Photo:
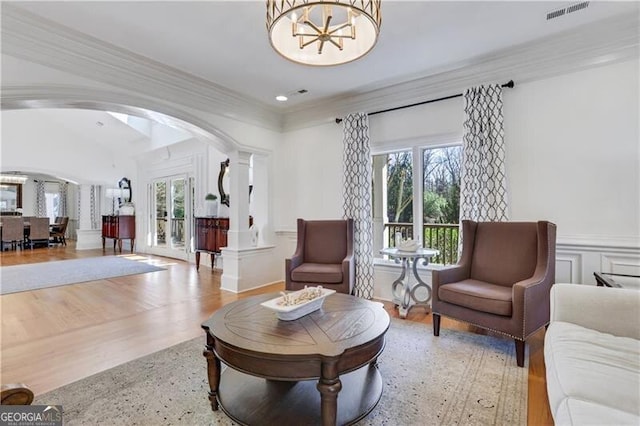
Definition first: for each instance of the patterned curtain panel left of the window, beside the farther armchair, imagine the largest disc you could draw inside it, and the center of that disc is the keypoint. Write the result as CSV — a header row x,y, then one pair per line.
x,y
357,197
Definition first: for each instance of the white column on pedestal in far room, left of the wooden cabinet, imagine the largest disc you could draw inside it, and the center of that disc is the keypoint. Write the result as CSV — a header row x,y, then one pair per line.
x,y
89,233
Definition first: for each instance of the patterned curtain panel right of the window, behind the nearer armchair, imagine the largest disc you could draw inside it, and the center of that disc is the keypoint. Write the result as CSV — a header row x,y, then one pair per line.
x,y
483,184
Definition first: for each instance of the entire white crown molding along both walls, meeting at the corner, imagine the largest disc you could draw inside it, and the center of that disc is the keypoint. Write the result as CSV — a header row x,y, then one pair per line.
x,y
31,38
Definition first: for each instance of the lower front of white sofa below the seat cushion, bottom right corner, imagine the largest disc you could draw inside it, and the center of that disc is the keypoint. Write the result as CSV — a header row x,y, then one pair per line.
x,y
576,412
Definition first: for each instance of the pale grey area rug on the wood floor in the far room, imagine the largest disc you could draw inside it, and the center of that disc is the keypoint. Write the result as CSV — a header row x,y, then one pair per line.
x,y
35,276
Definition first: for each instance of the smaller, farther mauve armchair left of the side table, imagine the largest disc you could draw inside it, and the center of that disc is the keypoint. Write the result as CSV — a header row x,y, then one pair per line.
x,y
324,256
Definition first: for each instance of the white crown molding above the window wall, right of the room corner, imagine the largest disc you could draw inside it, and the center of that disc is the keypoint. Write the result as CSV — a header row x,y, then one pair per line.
x,y
605,42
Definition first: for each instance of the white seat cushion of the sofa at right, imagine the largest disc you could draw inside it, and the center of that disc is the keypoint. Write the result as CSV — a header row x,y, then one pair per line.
x,y
591,366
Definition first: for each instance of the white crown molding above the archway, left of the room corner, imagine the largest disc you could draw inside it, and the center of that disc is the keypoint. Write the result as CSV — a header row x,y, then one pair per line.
x,y
32,38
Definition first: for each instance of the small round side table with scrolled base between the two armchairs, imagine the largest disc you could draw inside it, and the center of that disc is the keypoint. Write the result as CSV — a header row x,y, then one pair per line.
x,y
405,293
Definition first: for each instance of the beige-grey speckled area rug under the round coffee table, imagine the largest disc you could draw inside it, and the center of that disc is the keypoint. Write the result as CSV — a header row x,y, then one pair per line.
x,y
458,378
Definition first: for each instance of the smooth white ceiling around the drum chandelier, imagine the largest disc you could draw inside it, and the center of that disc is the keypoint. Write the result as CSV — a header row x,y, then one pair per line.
x,y
226,42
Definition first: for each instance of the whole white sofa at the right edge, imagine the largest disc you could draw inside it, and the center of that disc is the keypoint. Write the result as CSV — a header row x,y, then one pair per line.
x,y
592,355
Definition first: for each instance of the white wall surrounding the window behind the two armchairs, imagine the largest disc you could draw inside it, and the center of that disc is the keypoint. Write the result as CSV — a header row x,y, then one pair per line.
x,y
572,158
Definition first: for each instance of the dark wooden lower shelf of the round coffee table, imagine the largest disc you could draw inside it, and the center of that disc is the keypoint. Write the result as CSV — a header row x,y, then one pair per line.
x,y
251,400
